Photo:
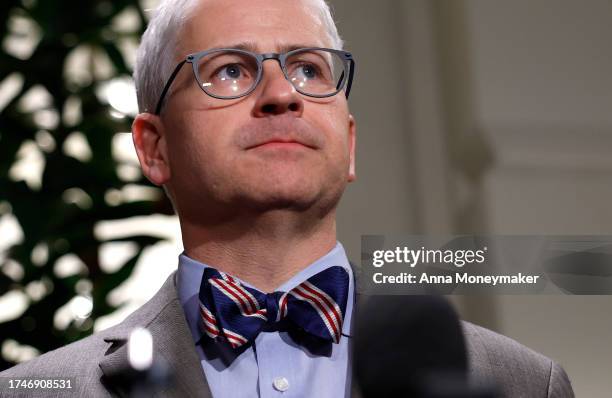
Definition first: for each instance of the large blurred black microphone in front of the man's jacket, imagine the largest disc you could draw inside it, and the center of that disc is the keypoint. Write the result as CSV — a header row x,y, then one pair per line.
x,y
411,346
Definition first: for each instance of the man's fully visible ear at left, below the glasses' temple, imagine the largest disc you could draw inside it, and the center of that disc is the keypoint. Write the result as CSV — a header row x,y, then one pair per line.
x,y
150,141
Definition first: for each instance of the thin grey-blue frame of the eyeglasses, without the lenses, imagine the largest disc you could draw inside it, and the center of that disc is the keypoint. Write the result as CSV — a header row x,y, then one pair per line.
x,y
193,59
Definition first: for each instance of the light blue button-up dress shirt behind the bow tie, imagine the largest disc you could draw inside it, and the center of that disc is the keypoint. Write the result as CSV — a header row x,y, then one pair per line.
x,y
274,366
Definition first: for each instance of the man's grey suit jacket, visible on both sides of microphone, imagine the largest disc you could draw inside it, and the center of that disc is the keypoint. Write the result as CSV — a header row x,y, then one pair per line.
x,y
519,371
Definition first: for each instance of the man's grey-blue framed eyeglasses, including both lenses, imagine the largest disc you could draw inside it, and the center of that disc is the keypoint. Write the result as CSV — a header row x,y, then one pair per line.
x,y
229,73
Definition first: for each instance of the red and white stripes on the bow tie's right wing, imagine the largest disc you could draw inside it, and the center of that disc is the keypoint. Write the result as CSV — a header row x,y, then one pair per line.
x,y
326,307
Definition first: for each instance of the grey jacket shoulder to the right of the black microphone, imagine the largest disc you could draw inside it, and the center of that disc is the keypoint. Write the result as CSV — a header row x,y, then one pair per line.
x,y
515,369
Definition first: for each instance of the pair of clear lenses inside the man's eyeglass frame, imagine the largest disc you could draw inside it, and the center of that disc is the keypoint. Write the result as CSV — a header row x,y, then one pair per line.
x,y
230,73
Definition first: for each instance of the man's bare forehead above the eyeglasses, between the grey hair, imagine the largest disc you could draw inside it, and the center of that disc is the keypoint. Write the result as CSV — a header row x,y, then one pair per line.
x,y
270,25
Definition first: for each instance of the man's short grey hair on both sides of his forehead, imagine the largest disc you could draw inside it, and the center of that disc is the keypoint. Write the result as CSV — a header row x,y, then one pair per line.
x,y
156,55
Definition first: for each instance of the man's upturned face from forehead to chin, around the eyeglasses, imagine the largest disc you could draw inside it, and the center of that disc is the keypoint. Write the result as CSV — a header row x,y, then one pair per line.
x,y
229,153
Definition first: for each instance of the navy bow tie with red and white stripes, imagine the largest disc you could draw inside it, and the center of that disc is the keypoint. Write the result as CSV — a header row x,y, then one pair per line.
x,y
236,313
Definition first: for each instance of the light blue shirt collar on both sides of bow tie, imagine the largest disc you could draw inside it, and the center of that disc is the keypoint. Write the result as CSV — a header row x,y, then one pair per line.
x,y
190,274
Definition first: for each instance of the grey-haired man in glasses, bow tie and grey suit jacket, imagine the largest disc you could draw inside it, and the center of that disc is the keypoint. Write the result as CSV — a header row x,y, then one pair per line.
x,y
255,157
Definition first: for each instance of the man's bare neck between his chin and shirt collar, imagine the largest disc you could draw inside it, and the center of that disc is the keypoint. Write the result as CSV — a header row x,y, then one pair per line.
x,y
264,250
